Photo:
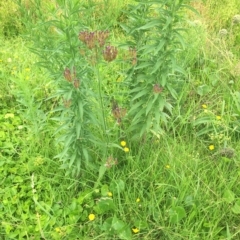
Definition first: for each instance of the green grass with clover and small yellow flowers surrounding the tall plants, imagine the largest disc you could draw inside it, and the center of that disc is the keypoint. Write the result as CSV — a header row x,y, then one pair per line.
x,y
171,186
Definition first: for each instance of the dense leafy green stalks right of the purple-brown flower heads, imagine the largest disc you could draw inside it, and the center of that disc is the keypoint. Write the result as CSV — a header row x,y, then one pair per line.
x,y
156,77
